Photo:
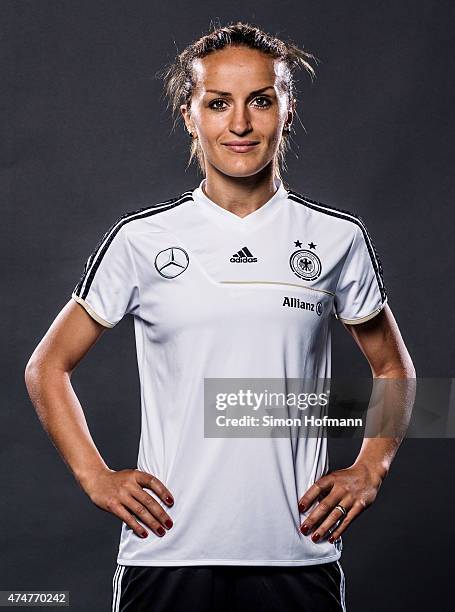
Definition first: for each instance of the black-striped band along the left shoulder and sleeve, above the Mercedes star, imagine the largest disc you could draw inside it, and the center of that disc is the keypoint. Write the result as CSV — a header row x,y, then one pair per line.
x,y
94,260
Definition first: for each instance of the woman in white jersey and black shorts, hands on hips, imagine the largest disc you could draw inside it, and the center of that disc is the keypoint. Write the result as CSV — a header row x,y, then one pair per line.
x,y
236,278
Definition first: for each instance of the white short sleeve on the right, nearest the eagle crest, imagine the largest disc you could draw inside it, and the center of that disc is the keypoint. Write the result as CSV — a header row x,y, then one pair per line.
x,y
360,294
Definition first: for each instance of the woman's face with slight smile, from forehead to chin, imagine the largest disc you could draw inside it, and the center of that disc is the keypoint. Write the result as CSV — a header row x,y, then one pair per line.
x,y
238,109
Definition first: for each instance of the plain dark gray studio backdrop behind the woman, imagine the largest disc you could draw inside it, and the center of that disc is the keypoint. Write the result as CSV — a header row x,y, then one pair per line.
x,y
87,137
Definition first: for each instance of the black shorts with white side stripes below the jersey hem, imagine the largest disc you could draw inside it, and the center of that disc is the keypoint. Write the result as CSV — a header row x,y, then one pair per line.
x,y
228,588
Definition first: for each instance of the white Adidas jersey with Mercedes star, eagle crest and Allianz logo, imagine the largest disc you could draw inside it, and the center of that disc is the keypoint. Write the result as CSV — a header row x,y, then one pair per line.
x,y
215,295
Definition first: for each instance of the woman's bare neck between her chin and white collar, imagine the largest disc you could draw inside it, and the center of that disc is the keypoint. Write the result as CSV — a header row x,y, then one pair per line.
x,y
240,195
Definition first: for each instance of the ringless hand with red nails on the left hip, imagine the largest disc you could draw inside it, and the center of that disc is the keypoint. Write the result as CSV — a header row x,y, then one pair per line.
x,y
122,494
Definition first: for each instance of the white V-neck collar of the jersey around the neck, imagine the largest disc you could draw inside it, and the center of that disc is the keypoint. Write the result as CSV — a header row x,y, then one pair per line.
x,y
252,220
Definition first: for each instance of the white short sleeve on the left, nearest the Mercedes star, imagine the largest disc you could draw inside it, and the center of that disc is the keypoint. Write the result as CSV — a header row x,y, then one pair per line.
x,y
108,288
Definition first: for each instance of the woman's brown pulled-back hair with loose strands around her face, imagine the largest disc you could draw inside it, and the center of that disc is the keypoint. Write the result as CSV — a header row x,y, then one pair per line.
x,y
179,81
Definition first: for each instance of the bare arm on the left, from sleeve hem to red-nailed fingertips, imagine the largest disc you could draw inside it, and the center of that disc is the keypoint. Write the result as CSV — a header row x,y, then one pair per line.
x,y
48,381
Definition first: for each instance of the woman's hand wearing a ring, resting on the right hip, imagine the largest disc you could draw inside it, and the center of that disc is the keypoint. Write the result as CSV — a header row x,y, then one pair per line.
x,y
354,488
